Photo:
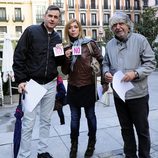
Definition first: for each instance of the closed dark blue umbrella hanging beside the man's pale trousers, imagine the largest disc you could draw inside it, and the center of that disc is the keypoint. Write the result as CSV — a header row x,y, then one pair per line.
x,y
18,125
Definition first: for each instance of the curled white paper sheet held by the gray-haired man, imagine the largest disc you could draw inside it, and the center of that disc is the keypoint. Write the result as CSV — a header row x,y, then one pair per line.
x,y
121,87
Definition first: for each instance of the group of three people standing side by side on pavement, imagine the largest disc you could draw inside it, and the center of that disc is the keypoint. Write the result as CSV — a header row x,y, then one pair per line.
x,y
35,58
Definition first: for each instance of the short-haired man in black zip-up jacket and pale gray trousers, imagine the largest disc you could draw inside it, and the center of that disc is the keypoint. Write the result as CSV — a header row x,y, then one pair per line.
x,y
34,59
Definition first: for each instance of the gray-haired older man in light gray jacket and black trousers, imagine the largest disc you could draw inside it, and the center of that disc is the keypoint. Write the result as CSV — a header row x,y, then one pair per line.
x,y
130,53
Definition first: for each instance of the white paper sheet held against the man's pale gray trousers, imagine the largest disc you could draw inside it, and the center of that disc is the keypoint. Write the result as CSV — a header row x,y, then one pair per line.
x,y
34,94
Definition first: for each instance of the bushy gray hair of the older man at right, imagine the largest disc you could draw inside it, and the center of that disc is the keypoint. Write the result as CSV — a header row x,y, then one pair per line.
x,y
120,17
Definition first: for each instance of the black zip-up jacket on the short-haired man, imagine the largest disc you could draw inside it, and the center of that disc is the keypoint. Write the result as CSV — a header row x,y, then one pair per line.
x,y
34,55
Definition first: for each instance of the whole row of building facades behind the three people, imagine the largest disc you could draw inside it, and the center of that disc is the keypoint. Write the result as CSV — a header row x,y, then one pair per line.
x,y
16,15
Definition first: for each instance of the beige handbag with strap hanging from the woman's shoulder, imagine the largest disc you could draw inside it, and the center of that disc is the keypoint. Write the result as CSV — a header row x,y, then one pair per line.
x,y
94,62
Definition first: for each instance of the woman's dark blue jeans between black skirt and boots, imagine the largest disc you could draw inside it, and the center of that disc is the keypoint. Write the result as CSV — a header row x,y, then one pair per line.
x,y
75,121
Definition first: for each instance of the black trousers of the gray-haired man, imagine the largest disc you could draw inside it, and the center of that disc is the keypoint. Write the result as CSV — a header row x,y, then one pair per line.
x,y
134,112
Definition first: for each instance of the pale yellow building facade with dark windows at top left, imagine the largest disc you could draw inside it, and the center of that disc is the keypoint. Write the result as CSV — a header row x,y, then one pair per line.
x,y
15,16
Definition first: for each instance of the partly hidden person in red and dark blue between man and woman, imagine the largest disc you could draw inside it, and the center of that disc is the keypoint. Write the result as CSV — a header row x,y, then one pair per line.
x,y
60,99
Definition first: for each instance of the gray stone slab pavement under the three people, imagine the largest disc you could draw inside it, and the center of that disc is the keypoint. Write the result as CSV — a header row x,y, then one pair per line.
x,y
109,141
